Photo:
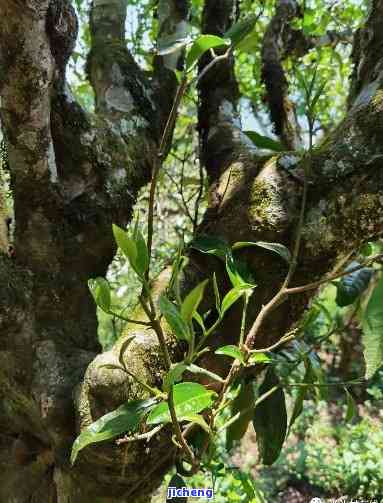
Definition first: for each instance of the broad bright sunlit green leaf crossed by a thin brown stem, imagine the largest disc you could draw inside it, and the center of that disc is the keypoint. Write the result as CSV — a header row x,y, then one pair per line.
x,y
189,398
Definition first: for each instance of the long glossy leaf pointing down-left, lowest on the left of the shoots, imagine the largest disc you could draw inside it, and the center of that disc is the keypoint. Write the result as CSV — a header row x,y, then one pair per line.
x,y
122,420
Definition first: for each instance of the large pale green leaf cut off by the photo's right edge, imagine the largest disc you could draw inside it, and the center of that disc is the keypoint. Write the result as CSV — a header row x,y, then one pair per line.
x,y
372,324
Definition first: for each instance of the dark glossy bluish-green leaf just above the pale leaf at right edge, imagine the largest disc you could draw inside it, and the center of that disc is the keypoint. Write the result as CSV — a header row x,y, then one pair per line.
x,y
350,287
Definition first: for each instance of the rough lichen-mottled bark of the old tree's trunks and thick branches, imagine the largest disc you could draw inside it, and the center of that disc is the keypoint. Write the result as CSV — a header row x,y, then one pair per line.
x,y
74,174
